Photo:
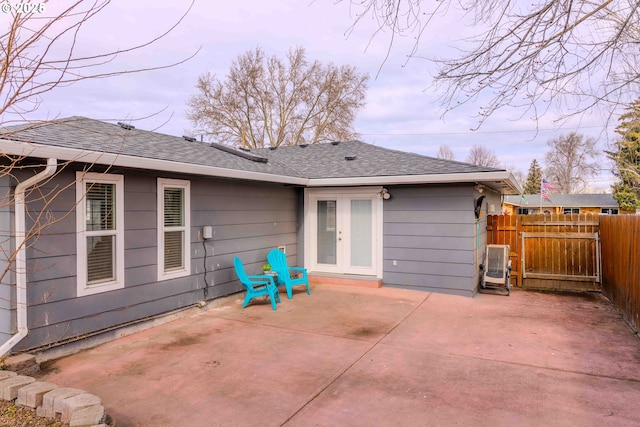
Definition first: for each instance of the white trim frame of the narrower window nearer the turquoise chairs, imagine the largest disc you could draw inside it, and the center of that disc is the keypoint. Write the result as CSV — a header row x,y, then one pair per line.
x,y
186,185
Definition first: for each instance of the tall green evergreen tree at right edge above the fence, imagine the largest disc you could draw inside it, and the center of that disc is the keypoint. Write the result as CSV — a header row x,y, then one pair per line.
x,y
626,159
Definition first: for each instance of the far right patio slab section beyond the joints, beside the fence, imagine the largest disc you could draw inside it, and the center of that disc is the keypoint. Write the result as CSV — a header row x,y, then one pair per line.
x,y
573,332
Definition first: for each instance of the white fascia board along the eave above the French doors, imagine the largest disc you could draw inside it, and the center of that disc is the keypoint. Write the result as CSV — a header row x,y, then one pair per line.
x,y
486,178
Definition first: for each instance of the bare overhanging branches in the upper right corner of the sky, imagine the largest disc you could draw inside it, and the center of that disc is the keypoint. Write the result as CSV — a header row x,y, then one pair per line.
x,y
578,53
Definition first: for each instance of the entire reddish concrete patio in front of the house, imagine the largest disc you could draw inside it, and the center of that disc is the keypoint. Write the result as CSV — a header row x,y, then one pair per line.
x,y
361,356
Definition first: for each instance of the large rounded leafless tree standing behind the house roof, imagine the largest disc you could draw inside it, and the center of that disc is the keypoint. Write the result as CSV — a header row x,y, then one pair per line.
x,y
270,102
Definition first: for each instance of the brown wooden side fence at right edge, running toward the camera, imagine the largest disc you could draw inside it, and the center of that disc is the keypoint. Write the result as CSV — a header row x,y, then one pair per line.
x,y
621,264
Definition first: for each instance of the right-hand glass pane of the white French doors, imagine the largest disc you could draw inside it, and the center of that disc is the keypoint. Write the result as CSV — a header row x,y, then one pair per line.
x,y
361,233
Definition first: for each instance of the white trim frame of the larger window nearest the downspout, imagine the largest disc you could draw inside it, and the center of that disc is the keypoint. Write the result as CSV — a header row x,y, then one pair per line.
x,y
82,178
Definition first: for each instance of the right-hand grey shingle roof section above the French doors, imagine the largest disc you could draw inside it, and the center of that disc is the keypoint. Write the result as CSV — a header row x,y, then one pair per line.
x,y
326,160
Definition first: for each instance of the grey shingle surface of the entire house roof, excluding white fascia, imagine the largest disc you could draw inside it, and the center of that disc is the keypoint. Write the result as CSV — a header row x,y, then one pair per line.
x,y
325,160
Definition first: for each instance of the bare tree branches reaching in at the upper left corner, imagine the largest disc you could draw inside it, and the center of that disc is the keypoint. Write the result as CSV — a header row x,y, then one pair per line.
x,y
39,53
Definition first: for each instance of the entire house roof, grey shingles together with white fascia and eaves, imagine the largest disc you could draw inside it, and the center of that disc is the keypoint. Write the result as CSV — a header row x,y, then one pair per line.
x,y
93,141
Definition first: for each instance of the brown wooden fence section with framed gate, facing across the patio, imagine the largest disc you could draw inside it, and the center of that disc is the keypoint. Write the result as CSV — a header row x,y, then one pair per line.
x,y
550,251
